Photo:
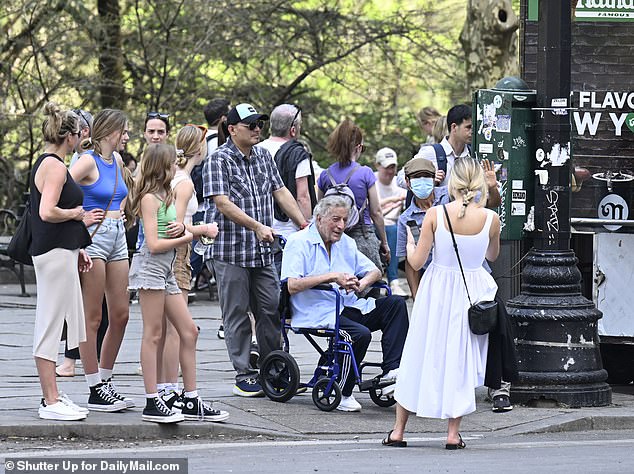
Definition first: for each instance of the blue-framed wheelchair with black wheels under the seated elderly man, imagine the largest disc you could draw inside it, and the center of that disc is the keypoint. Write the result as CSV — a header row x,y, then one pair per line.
x,y
280,375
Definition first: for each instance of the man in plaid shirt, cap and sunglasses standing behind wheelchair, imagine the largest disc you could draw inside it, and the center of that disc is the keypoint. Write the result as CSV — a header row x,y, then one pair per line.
x,y
240,181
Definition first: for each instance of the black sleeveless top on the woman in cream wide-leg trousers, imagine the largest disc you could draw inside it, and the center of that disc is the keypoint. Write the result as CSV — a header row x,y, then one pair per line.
x,y
46,236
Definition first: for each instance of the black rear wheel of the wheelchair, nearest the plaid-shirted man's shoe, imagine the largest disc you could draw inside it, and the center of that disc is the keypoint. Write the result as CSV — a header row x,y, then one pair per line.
x,y
279,376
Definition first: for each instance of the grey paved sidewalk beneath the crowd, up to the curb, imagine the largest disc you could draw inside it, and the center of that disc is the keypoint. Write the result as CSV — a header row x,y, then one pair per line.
x,y
298,418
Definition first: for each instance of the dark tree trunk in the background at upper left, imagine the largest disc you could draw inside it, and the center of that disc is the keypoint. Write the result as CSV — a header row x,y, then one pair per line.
x,y
110,55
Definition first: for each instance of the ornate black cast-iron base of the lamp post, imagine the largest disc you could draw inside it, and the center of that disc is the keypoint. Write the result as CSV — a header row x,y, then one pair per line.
x,y
557,336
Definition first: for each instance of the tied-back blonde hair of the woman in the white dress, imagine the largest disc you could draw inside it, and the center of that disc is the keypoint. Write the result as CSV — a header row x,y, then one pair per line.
x,y
466,180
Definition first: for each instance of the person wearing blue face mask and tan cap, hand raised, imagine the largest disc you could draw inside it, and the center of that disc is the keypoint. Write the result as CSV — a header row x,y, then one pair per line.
x,y
419,178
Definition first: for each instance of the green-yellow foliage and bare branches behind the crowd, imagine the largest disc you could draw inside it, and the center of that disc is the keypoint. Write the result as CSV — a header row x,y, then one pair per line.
x,y
376,62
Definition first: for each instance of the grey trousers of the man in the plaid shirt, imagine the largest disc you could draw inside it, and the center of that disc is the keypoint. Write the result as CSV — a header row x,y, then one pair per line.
x,y
239,289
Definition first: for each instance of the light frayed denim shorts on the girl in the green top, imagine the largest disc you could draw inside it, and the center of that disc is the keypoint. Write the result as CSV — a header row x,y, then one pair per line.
x,y
153,271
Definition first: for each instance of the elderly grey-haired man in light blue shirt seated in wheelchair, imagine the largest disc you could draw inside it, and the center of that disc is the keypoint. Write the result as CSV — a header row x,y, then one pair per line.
x,y
324,254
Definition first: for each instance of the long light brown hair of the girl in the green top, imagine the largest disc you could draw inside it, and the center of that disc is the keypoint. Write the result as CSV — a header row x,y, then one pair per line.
x,y
156,174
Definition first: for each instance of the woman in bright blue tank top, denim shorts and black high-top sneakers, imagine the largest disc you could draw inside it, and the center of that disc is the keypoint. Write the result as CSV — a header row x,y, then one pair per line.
x,y
98,171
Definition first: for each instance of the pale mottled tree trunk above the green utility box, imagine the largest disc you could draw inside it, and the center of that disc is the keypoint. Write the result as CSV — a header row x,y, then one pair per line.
x,y
489,41
